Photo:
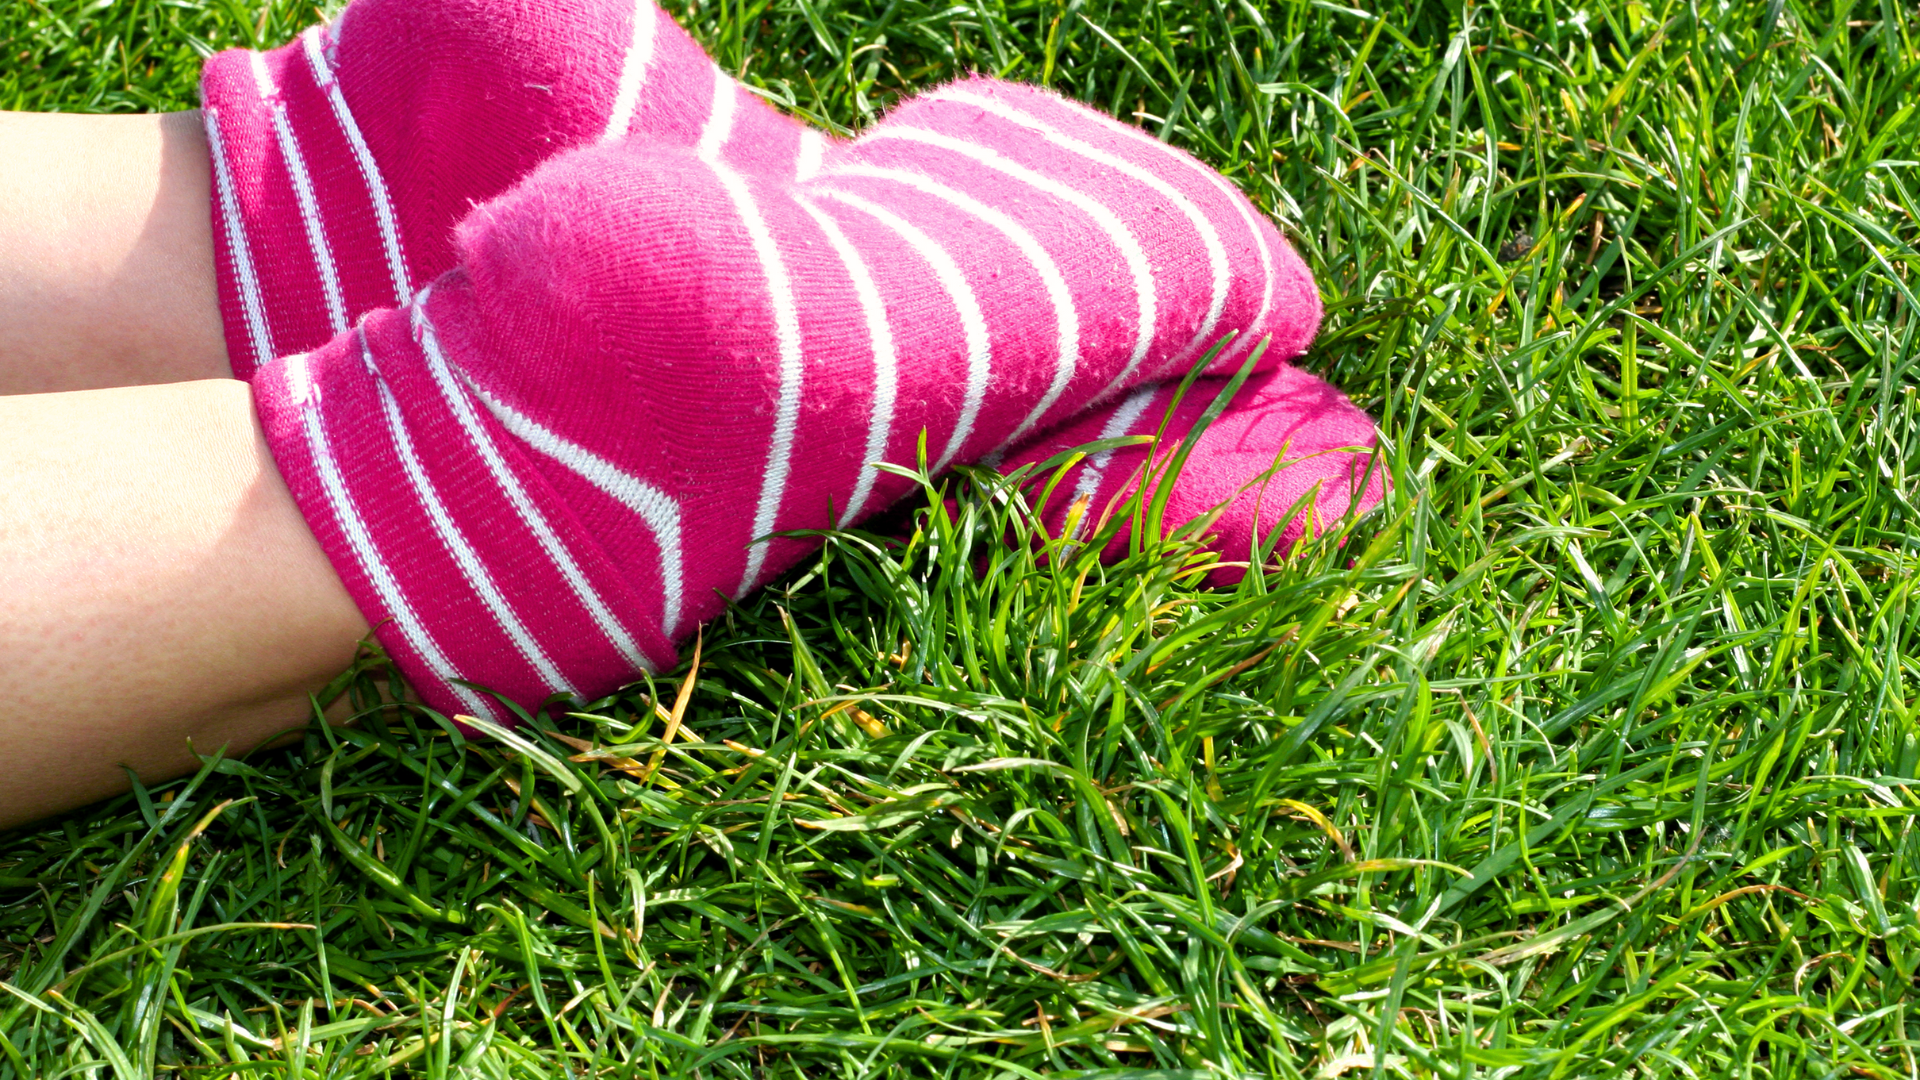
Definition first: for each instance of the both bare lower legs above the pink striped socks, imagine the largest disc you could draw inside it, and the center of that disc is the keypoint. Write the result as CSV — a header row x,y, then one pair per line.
x,y
160,593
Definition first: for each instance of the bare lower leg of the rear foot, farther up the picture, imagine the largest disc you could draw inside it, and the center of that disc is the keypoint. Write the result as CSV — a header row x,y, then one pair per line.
x,y
107,253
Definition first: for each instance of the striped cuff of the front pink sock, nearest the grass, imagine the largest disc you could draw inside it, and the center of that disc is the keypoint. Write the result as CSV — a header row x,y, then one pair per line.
x,y
446,528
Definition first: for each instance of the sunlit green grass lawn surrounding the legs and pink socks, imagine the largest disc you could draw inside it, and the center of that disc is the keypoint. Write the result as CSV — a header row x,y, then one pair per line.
x,y
1593,754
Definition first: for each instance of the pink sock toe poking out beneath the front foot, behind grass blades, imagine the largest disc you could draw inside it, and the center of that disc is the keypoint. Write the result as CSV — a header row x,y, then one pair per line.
x,y
1289,454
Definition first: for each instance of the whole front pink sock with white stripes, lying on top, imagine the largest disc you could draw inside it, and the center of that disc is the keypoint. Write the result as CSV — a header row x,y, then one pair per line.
x,y
558,460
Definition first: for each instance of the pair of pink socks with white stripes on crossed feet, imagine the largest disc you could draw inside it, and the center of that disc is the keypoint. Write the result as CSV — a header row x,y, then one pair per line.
x,y
544,445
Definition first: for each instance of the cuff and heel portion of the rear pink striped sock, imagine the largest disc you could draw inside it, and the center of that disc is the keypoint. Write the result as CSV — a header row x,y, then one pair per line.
x,y
343,160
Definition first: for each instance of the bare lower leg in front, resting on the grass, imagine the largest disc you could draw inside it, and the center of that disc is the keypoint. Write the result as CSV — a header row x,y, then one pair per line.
x,y
158,585
